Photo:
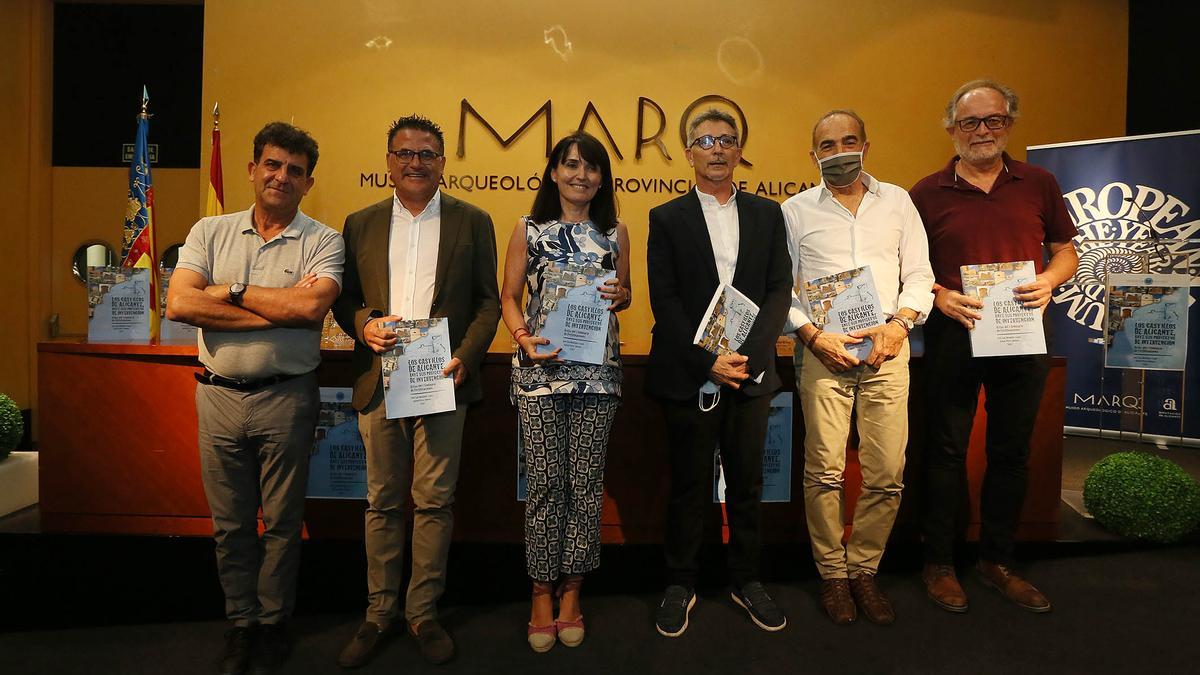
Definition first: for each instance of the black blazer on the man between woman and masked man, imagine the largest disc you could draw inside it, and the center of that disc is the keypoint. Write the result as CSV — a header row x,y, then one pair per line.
x,y
682,274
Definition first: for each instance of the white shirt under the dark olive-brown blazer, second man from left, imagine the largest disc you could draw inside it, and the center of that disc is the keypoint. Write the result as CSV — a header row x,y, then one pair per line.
x,y
413,258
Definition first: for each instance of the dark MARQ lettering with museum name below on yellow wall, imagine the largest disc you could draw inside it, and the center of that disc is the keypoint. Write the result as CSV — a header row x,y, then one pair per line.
x,y
651,130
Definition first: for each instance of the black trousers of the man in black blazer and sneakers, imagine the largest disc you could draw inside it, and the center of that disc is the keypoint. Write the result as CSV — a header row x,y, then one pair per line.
x,y
739,427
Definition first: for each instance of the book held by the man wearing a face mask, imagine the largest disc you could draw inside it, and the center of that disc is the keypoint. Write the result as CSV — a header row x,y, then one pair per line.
x,y
844,303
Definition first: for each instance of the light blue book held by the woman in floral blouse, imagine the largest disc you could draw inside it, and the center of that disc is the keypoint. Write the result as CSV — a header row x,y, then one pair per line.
x,y
574,316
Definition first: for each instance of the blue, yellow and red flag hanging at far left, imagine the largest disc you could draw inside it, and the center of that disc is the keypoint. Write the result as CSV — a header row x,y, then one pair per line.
x,y
139,247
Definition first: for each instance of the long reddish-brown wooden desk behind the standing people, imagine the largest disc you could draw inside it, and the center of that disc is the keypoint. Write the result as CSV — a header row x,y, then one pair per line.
x,y
109,467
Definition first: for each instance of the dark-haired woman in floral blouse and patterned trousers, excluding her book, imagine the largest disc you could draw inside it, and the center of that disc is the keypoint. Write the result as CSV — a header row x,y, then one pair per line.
x,y
566,408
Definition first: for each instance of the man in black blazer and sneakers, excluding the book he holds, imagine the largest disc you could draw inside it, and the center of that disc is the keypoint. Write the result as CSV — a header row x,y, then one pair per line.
x,y
710,237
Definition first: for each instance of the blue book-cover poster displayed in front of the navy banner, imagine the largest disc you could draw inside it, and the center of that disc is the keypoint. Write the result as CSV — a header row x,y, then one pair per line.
x,y
1147,324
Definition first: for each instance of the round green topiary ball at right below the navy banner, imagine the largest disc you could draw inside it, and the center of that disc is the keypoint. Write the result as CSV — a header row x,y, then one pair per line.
x,y
1143,497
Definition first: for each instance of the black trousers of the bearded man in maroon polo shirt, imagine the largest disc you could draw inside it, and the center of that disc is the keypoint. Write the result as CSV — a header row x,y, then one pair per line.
x,y
1013,391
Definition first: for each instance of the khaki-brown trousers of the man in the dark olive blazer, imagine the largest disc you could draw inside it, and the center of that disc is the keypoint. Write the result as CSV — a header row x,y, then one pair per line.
x,y
423,453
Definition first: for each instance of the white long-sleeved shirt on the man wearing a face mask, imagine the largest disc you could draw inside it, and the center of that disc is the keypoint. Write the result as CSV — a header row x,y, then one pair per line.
x,y
887,235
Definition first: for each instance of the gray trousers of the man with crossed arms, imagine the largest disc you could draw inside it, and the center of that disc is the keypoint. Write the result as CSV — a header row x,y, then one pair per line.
x,y
255,453
